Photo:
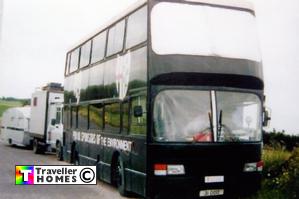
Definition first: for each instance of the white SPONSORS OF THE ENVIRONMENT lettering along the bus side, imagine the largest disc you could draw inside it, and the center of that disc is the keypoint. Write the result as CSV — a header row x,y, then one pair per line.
x,y
92,138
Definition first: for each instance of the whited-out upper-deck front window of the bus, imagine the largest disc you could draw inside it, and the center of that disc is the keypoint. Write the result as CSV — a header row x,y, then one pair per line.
x,y
204,30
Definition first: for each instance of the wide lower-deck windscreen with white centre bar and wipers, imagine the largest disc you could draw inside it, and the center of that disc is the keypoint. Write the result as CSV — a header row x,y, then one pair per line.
x,y
185,116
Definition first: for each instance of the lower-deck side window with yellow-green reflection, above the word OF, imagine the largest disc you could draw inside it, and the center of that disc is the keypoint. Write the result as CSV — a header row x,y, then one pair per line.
x,y
96,116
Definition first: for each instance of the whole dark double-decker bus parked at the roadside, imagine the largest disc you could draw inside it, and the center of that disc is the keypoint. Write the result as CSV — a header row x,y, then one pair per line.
x,y
167,100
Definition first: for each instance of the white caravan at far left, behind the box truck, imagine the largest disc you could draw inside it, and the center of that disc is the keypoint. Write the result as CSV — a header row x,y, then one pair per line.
x,y
15,125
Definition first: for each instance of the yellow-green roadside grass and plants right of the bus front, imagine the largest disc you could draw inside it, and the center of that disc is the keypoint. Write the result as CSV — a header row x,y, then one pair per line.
x,y
280,174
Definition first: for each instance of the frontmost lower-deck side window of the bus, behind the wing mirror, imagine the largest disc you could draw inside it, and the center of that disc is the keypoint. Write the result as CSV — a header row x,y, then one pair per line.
x,y
138,124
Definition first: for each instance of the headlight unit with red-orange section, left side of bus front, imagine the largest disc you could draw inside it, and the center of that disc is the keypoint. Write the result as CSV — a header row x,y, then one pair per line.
x,y
170,169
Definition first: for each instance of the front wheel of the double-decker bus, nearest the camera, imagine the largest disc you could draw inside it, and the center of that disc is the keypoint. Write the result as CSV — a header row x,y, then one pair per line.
x,y
120,177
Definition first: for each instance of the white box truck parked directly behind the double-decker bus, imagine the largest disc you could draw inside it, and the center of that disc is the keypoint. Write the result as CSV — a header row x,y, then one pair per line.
x,y
46,119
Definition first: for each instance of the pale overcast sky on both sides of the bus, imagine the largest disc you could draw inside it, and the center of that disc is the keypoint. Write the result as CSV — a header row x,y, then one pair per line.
x,y
37,33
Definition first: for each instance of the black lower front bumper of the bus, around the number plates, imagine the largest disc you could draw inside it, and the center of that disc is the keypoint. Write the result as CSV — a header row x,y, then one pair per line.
x,y
185,187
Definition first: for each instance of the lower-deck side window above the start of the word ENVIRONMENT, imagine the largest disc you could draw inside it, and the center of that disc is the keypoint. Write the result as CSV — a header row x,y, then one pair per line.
x,y
112,118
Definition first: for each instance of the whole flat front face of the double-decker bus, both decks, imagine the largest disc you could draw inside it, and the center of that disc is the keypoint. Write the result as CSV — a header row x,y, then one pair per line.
x,y
205,99
